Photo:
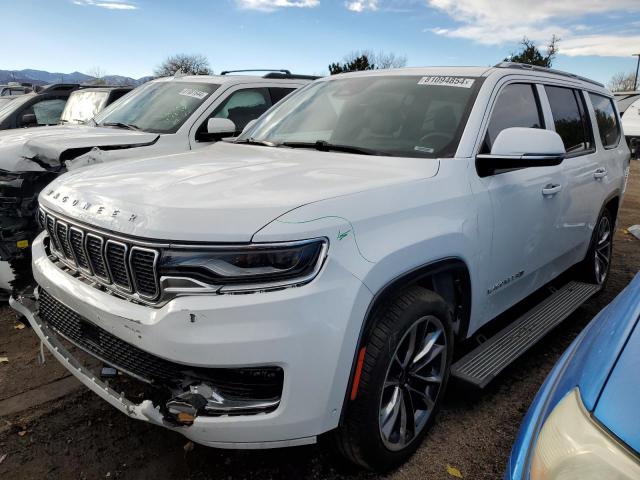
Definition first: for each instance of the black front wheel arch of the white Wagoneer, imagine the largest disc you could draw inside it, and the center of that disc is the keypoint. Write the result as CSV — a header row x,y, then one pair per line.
x,y
449,277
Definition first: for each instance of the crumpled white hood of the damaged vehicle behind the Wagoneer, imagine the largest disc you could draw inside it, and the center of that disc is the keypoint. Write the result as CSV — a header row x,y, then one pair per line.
x,y
45,148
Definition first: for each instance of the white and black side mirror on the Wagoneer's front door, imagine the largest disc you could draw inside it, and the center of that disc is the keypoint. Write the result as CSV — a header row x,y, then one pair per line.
x,y
521,148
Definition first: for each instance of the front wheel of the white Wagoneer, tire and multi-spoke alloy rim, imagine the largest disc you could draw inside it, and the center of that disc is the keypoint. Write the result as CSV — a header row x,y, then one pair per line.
x,y
366,436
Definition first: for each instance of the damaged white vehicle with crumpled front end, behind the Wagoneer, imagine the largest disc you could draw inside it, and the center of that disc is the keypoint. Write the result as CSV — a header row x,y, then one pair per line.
x,y
164,116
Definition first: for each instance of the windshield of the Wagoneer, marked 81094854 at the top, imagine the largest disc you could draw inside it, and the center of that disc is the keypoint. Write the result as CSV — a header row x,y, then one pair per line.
x,y
408,116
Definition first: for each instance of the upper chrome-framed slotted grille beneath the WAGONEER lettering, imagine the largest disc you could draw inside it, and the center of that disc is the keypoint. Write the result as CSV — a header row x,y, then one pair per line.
x,y
115,264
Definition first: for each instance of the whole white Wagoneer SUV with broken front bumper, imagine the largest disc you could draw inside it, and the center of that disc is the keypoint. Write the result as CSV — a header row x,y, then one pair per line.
x,y
323,272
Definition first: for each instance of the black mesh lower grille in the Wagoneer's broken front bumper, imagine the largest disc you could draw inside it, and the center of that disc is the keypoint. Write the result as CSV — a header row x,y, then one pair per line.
x,y
251,382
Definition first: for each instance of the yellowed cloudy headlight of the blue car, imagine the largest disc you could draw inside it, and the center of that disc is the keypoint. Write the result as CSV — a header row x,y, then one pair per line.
x,y
571,446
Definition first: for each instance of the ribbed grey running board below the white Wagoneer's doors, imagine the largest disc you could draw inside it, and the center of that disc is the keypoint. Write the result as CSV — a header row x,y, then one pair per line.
x,y
484,363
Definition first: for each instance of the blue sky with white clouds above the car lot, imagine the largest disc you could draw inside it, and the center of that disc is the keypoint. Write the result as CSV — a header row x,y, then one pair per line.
x,y
132,37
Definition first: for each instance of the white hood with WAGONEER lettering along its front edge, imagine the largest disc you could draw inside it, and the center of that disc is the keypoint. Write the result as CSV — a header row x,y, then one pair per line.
x,y
223,193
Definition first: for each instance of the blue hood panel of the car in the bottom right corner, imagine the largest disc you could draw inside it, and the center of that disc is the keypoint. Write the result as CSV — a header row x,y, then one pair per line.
x,y
617,407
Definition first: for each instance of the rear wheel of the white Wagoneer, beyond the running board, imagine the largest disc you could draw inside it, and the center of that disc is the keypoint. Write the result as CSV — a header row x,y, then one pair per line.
x,y
597,263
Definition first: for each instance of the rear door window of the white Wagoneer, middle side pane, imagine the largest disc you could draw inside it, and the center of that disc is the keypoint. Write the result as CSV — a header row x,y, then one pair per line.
x,y
570,119
